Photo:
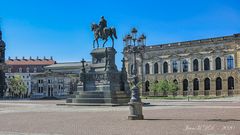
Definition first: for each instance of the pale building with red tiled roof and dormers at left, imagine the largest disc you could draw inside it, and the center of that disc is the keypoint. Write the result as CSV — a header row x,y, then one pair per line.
x,y
25,68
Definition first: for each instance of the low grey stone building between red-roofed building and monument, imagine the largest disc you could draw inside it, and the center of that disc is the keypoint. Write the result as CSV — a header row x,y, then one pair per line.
x,y
59,80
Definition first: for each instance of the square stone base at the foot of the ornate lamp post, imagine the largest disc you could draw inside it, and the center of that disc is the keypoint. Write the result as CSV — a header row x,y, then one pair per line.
x,y
135,111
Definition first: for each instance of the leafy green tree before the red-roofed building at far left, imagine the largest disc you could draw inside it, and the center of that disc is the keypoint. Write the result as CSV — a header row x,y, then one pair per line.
x,y
17,86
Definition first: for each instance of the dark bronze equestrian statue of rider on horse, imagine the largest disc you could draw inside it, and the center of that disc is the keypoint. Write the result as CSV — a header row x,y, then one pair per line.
x,y
103,32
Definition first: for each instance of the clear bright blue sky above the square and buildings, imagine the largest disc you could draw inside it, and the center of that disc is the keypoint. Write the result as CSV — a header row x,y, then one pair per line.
x,y
61,28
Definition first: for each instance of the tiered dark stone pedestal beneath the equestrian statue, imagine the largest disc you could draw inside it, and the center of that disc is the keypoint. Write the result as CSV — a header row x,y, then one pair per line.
x,y
103,83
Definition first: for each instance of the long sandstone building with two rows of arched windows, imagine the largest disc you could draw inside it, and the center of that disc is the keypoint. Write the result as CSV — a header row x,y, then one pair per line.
x,y
199,67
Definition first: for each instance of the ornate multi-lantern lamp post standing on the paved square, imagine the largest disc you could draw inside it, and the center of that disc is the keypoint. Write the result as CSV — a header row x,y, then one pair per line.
x,y
135,104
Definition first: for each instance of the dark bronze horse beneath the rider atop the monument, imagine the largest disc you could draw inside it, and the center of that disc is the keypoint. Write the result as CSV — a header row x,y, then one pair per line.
x,y
107,32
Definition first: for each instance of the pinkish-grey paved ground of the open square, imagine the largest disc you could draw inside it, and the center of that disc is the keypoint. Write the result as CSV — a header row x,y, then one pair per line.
x,y
161,118
